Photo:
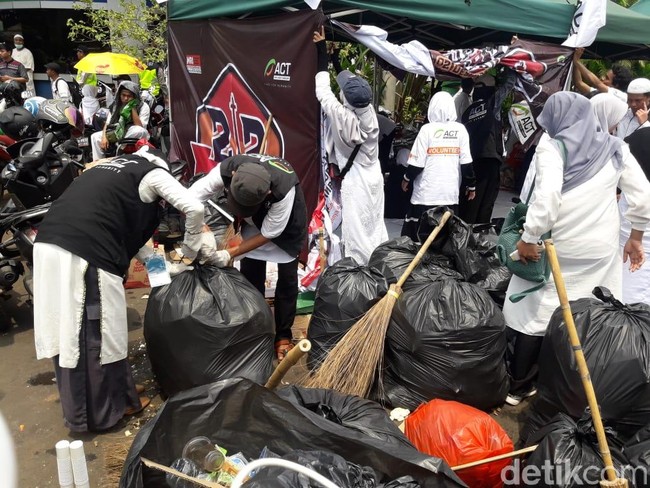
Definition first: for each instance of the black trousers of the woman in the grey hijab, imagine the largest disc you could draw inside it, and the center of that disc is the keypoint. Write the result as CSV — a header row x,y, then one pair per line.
x,y
523,354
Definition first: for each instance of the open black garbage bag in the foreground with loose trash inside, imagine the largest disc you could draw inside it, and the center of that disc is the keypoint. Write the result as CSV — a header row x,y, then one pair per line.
x,y
354,435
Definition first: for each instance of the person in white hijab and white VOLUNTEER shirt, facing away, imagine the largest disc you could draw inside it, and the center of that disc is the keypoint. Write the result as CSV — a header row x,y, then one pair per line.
x,y
439,158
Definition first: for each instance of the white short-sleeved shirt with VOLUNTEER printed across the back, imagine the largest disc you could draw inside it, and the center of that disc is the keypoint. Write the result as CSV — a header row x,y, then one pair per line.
x,y
440,149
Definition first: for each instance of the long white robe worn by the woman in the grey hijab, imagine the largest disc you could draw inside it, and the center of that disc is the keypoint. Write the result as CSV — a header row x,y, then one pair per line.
x,y
585,230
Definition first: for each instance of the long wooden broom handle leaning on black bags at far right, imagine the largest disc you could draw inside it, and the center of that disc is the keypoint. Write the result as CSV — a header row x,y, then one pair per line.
x,y
583,369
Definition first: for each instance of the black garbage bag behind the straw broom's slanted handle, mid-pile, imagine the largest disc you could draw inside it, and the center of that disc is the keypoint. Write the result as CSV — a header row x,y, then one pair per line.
x,y
392,258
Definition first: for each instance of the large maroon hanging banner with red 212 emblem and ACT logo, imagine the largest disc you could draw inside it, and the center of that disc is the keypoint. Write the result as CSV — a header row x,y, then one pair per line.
x,y
231,79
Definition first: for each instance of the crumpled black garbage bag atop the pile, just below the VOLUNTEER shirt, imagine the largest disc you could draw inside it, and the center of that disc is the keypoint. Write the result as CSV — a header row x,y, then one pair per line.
x,y
471,249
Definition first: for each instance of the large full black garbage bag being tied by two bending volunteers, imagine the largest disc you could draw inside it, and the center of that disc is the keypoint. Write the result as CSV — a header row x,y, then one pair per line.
x,y
208,324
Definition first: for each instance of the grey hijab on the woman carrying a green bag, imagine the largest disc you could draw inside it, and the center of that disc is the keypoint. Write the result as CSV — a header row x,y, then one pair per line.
x,y
569,119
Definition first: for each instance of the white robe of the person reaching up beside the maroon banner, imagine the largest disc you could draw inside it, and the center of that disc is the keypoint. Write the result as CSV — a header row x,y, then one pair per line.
x,y
362,190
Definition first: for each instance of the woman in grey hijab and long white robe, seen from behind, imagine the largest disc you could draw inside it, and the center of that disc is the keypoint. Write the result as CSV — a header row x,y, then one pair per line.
x,y
577,168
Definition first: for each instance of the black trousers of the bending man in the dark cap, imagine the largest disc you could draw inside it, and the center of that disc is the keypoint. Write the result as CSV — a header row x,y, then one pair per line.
x,y
286,291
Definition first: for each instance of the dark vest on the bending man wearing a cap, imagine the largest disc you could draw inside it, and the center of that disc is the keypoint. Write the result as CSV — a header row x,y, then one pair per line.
x,y
283,179
